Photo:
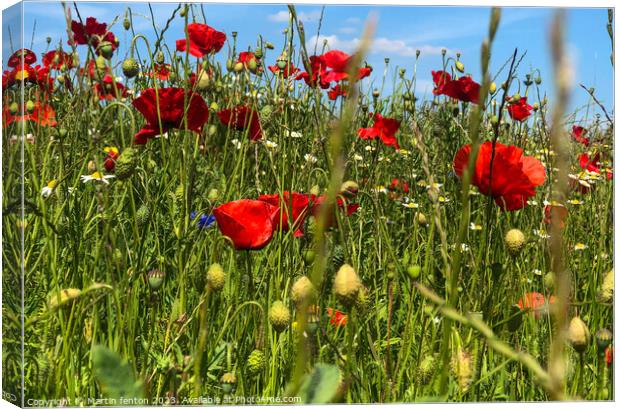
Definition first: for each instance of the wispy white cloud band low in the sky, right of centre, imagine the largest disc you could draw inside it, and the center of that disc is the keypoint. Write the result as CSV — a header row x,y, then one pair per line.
x,y
381,45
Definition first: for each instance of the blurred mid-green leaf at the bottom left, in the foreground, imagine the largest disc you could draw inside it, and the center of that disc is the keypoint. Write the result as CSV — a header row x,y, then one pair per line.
x,y
115,376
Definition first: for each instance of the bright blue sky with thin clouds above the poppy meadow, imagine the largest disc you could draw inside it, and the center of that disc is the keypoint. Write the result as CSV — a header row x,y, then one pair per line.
x,y
400,31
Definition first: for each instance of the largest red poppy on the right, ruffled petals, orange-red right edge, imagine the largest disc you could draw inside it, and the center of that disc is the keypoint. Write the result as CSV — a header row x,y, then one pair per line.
x,y
515,177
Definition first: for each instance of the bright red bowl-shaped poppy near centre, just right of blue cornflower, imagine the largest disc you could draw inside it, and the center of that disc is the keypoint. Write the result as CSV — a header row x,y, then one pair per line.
x,y
250,224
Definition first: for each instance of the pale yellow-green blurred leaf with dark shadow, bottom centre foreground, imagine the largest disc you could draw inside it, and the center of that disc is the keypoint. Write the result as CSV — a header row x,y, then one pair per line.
x,y
321,385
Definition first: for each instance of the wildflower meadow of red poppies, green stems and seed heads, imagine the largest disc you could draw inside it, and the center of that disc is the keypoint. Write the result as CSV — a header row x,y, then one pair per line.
x,y
272,229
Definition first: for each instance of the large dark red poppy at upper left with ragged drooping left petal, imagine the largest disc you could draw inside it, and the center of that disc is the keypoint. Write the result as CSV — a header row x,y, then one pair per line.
x,y
172,111
